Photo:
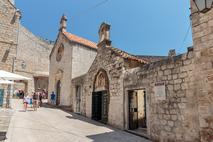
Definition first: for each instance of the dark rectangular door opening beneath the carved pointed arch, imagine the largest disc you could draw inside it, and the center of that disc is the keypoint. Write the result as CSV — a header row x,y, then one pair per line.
x,y
100,106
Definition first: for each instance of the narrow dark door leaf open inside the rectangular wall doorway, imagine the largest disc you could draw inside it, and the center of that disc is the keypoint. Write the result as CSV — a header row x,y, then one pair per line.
x,y
133,110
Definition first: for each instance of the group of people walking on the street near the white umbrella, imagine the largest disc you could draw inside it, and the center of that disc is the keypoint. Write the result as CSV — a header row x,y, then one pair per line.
x,y
34,100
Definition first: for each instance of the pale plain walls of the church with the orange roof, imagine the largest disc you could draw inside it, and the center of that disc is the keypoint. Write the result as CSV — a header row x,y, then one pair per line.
x,y
75,62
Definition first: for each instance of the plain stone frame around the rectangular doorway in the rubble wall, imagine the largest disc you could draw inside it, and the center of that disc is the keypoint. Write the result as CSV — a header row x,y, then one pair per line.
x,y
126,106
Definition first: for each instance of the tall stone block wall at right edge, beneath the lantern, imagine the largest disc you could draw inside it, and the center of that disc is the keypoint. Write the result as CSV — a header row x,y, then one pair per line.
x,y
202,28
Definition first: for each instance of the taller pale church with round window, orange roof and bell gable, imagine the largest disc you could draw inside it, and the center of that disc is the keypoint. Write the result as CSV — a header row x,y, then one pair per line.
x,y
70,57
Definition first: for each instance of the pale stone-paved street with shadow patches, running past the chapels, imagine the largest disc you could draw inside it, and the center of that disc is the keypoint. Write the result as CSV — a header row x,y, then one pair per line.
x,y
54,125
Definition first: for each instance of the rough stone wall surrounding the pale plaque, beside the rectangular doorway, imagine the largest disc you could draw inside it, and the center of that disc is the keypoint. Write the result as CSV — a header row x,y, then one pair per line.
x,y
173,119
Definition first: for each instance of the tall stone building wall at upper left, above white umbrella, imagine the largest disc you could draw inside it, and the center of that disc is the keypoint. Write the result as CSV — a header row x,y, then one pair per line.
x,y
9,24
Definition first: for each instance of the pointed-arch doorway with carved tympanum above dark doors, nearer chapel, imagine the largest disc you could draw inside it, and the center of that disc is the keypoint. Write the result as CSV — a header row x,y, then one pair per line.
x,y
100,97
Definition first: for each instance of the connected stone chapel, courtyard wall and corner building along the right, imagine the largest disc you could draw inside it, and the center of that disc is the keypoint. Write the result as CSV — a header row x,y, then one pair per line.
x,y
168,99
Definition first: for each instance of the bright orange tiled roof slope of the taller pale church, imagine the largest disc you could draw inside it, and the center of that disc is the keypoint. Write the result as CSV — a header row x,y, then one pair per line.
x,y
80,40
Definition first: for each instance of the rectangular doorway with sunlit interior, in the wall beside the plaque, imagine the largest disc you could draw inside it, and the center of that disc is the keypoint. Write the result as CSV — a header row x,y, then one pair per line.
x,y
137,110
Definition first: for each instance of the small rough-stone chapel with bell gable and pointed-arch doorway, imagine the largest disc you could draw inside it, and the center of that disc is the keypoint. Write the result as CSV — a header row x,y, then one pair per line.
x,y
102,93
